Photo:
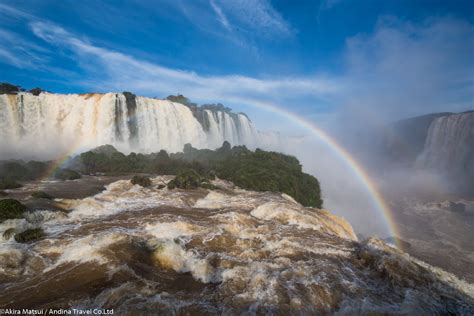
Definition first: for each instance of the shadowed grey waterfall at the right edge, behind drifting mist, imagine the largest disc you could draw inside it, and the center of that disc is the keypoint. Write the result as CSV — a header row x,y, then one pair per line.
x,y
449,147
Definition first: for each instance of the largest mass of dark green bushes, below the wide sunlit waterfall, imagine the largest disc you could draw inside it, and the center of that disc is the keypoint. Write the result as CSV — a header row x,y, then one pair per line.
x,y
259,170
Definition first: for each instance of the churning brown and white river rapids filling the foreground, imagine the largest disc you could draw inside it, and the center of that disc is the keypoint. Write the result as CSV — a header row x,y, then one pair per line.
x,y
222,251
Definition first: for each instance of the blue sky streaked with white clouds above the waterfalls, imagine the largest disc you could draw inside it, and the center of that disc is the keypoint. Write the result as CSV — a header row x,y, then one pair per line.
x,y
320,59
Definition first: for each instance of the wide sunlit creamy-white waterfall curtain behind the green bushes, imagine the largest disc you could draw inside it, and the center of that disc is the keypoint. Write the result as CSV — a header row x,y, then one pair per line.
x,y
53,124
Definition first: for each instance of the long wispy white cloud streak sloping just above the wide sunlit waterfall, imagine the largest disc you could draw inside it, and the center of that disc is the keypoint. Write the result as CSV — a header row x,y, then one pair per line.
x,y
121,71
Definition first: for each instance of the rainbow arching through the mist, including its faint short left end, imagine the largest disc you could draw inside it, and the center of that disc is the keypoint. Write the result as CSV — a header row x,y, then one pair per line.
x,y
377,199
